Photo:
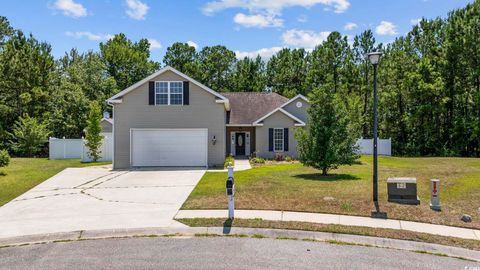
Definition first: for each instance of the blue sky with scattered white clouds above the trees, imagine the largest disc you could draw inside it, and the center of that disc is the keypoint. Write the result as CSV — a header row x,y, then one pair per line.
x,y
244,26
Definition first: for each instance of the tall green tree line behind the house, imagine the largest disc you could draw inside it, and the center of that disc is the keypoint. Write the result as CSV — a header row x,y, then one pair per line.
x,y
429,80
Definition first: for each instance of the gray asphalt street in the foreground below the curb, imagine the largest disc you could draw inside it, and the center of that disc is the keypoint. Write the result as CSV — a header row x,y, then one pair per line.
x,y
217,253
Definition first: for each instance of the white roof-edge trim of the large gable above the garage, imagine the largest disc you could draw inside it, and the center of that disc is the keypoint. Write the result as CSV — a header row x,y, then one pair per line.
x,y
118,97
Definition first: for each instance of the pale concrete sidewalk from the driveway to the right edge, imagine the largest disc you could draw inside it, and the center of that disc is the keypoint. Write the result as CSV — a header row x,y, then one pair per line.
x,y
337,219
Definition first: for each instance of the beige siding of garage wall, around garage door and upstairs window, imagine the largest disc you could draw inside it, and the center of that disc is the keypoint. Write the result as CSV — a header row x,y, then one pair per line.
x,y
134,112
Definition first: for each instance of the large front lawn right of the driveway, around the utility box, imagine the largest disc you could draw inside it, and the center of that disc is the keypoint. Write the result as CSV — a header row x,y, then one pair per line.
x,y
348,190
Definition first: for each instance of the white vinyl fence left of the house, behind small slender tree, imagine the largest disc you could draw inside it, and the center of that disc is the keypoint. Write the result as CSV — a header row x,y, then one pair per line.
x,y
76,149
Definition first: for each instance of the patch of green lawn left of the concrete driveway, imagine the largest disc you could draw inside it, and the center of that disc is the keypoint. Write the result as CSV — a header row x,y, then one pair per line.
x,y
24,173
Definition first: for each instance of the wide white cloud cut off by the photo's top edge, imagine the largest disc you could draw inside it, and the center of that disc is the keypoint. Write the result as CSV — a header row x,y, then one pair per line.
x,y
272,7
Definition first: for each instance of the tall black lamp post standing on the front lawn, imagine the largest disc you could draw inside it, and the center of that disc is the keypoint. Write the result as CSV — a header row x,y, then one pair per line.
x,y
374,58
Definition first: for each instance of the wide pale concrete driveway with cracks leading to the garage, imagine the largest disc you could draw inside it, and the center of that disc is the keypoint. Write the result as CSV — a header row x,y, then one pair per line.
x,y
99,198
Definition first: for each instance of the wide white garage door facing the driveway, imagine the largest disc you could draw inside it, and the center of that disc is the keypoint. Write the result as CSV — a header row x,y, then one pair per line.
x,y
169,147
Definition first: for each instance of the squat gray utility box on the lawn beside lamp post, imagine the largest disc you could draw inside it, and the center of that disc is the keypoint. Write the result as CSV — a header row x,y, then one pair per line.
x,y
402,190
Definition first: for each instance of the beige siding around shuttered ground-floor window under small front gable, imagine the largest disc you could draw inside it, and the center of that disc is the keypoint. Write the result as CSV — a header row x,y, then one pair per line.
x,y
276,120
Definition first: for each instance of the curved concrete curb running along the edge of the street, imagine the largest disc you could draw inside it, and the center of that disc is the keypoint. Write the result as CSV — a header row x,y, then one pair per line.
x,y
225,231
